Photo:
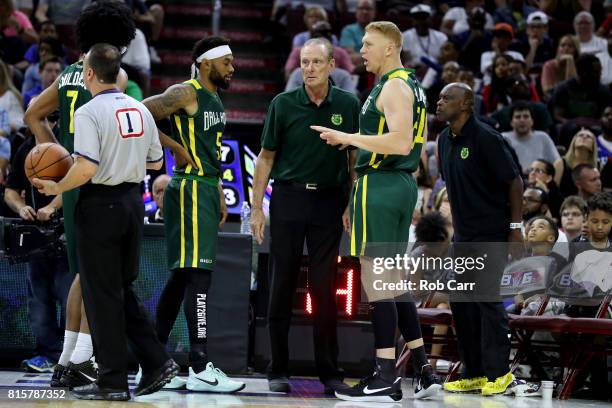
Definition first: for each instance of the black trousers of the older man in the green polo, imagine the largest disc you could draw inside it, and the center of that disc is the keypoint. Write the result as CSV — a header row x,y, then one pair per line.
x,y
297,214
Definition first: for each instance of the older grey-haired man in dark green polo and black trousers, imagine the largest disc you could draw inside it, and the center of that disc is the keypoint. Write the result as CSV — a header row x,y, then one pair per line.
x,y
309,197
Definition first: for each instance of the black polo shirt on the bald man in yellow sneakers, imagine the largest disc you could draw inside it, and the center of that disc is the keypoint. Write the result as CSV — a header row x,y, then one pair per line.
x,y
477,166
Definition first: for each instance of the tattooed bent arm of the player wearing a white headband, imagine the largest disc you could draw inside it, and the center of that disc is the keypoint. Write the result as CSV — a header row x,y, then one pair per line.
x,y
175,98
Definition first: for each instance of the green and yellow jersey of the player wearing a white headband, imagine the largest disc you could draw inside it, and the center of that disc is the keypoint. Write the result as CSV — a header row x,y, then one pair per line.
x,y
201,133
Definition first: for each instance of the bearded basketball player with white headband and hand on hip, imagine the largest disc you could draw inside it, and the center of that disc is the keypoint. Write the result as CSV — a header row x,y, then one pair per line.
x,y
194,205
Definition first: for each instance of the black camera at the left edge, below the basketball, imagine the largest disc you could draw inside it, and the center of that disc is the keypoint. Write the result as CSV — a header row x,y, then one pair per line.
x,y
24,241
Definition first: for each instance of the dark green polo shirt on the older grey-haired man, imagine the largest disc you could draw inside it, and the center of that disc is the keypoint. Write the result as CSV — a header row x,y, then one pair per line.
x,y
301,155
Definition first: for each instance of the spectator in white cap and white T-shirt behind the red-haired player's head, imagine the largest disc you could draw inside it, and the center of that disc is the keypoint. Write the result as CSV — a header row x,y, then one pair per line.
x,y
422,41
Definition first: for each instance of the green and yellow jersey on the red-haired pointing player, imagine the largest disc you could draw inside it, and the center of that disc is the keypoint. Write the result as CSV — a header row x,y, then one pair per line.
x,y
372,122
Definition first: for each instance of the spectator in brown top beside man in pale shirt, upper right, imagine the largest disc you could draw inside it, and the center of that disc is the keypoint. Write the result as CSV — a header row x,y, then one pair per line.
x,y
563,66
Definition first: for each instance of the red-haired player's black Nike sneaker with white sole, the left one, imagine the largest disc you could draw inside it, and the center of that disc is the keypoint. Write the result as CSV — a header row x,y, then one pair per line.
x,y
373,389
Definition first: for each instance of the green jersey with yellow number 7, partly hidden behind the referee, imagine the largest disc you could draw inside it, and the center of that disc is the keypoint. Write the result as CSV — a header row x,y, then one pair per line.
x,y
72,95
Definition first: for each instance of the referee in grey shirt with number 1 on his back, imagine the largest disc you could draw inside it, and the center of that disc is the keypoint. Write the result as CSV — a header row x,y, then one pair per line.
x,y
115,141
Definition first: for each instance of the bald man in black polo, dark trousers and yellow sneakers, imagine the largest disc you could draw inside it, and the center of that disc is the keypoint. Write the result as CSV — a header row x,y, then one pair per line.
x,y
485,191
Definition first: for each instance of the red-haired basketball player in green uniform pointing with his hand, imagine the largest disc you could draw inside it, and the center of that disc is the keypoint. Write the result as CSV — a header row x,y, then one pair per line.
x,y
392,131
